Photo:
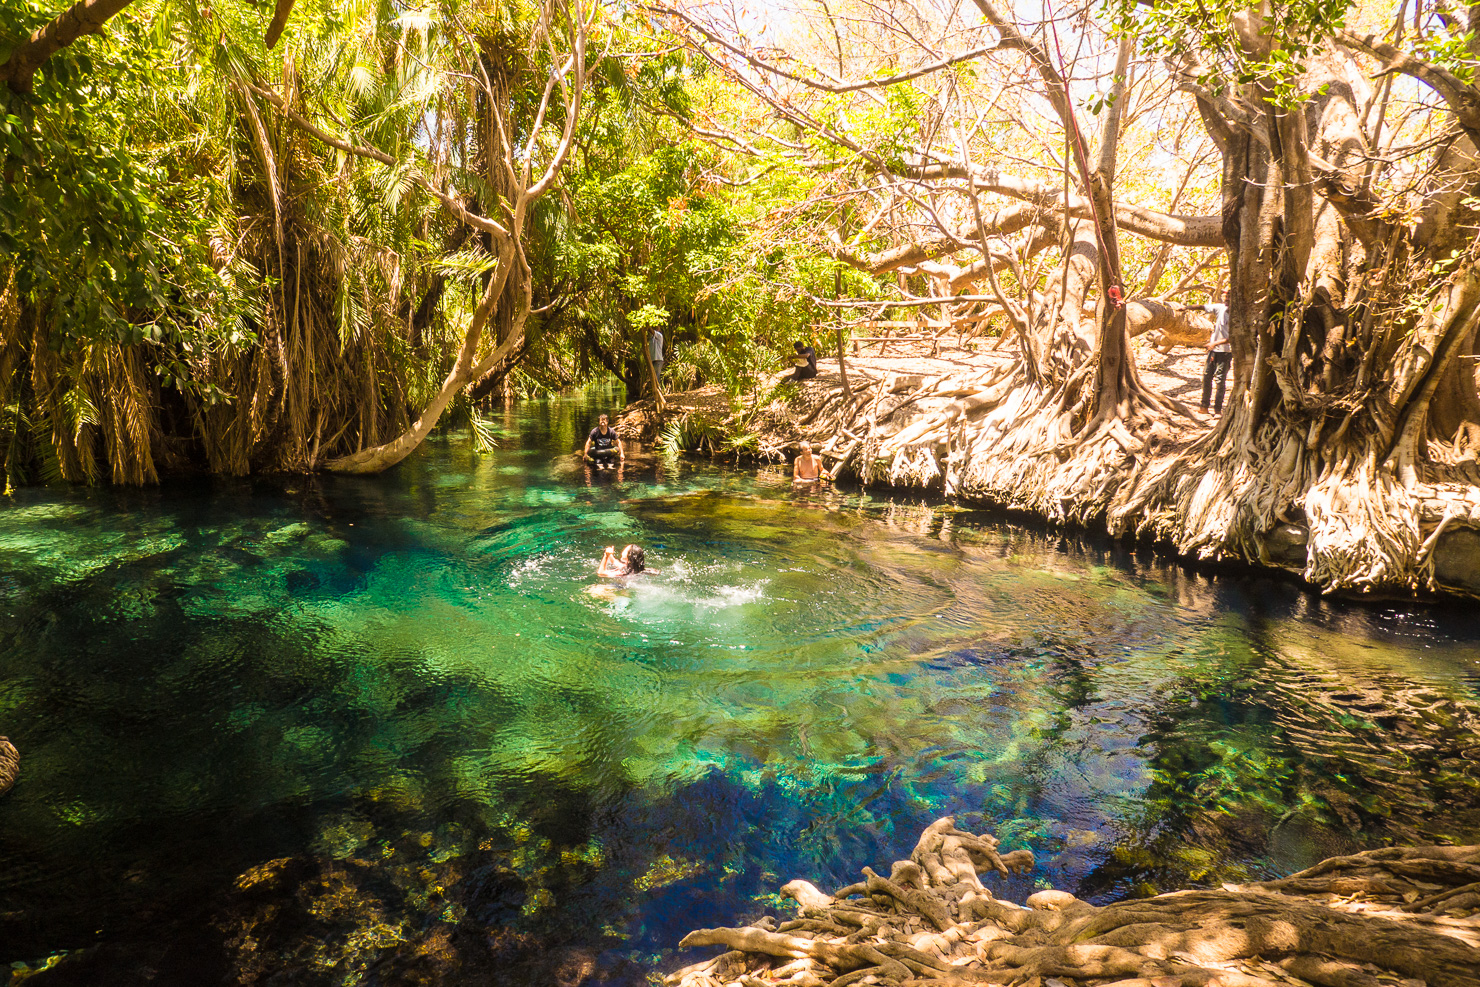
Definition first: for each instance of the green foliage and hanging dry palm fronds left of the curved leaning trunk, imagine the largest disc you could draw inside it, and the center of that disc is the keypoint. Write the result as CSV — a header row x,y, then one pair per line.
x,y
155,255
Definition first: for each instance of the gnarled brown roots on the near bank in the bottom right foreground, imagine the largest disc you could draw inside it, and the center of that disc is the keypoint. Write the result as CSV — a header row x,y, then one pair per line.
x,y
1399,917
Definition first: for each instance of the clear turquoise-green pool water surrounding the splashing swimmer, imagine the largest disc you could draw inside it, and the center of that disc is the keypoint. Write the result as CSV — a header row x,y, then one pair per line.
x,y
320,726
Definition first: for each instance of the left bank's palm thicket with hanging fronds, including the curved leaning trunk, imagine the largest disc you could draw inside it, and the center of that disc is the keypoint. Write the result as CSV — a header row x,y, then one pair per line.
x,y
257,239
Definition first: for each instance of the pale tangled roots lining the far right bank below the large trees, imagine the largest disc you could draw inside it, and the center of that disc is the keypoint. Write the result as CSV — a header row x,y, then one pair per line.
x,y
1327,508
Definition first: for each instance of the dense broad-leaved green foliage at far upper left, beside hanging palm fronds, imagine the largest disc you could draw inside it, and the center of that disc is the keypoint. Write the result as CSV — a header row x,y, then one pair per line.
x,y
100,232
